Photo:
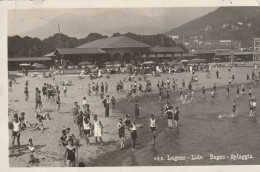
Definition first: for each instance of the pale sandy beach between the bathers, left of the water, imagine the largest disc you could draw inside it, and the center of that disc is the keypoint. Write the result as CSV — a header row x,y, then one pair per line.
x,y
47,148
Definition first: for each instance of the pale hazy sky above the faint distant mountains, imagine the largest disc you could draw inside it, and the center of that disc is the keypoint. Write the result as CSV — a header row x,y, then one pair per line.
x,y
25,20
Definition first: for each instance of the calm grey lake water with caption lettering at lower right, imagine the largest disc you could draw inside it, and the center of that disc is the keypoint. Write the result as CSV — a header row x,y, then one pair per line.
x,y
201,136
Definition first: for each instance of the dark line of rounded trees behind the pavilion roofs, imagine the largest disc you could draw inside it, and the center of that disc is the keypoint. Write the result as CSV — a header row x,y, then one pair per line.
x,y
35,47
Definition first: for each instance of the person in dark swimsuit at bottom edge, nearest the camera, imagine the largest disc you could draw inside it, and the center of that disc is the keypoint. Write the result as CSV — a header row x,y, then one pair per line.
x,y
71,154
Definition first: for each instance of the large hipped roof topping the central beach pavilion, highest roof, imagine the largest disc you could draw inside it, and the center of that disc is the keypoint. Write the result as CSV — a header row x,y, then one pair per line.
x,y
115,42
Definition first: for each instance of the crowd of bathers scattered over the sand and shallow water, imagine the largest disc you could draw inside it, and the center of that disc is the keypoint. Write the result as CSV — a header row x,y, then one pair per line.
x,y
88,124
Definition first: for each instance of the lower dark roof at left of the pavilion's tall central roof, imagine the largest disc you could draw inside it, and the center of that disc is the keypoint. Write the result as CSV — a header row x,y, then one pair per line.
x,y
79,51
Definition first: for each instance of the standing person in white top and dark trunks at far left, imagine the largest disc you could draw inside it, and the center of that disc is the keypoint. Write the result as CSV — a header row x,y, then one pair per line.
x,y
16,131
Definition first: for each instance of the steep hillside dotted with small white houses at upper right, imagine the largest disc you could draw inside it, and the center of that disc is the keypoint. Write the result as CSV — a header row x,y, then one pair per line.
x,y
239,23
